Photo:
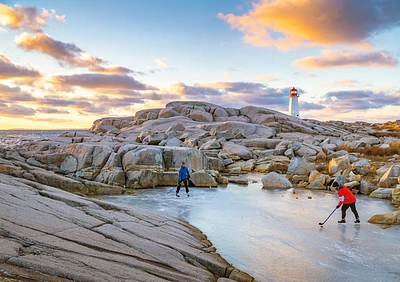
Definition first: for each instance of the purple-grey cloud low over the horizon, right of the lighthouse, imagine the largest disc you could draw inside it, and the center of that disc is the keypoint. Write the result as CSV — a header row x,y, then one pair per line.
x,y
357,100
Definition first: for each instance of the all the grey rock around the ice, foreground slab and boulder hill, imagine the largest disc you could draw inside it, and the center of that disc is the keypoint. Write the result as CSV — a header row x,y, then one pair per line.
x,y
43,227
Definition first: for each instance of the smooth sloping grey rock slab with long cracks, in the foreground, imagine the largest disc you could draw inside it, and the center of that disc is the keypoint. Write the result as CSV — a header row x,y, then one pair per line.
x,y
47,234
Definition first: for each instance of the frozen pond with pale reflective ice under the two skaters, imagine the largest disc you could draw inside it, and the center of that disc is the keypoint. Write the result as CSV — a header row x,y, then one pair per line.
x,y
272,235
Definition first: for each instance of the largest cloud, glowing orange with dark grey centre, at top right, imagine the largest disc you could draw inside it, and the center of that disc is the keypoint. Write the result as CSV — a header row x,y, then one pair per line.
x,y
292,23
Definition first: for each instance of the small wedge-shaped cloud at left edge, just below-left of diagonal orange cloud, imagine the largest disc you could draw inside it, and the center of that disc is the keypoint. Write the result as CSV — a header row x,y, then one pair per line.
x,y
8,70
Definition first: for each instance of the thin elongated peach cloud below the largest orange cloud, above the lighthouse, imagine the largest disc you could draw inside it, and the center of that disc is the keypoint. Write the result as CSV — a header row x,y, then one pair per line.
x,y
330,59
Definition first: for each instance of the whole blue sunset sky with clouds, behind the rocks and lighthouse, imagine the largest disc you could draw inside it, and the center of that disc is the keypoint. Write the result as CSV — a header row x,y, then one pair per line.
x,y
64,64
